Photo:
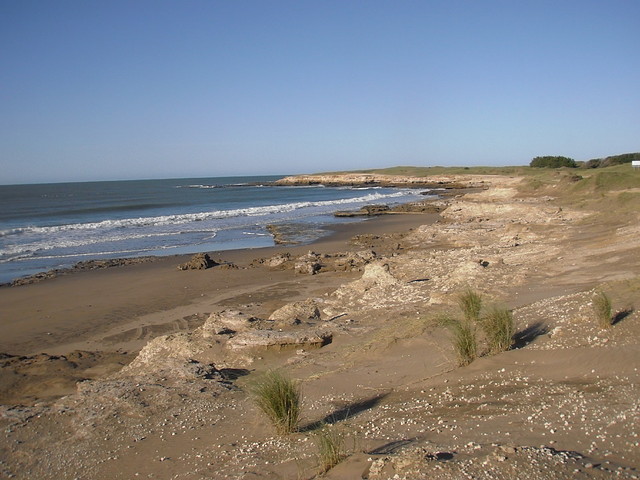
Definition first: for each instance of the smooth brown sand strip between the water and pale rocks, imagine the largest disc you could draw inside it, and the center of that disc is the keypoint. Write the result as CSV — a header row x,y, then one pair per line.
x,y
73,310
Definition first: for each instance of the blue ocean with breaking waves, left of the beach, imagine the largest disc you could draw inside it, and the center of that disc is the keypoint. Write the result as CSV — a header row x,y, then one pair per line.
x,y
48,226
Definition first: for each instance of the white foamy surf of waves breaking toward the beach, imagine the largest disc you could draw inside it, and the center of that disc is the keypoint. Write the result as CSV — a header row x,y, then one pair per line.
x,y
42,241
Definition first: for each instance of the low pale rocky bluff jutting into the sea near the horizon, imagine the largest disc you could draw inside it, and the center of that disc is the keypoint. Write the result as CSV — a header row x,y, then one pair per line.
x,y
382,180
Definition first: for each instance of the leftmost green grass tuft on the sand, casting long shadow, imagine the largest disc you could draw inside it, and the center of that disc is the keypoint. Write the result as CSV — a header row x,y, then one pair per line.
x,y
280,398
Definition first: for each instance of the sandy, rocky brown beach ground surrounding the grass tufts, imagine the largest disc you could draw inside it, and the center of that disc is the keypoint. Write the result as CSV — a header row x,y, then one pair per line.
x,y
563,404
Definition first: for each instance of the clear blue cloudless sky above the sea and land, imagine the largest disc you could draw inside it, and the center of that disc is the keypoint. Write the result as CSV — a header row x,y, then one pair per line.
x,y
96,90
